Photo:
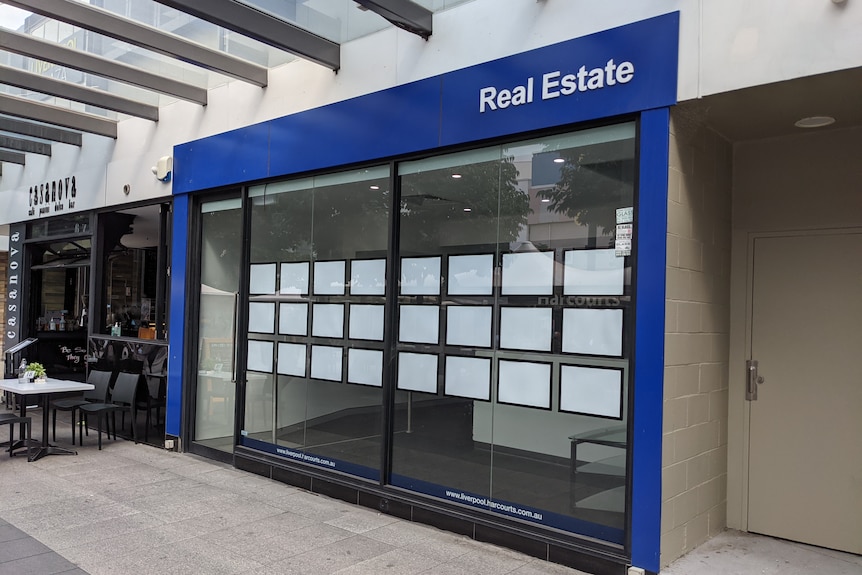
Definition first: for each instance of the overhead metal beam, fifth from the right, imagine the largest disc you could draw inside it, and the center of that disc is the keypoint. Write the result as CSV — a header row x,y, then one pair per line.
x,y
99,98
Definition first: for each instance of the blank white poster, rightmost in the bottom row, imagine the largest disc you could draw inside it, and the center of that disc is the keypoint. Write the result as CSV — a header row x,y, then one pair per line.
x,y
591,391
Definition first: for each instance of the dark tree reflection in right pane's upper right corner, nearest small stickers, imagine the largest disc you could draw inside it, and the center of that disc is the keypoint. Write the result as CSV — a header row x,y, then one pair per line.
x,y
594,181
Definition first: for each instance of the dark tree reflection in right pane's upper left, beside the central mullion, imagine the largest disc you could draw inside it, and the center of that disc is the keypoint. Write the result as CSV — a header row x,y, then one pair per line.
x,y
484,204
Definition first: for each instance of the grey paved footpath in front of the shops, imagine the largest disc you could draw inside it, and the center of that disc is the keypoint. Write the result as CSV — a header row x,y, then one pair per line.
x,y
136,509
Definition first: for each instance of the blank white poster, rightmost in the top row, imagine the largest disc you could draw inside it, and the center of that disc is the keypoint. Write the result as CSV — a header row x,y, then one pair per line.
x,y
593,272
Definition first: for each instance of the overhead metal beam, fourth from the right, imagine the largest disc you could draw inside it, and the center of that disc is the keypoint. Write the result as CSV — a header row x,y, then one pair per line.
x,y
33,47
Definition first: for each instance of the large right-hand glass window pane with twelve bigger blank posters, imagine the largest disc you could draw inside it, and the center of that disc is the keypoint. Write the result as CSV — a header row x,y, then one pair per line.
x,y
512,347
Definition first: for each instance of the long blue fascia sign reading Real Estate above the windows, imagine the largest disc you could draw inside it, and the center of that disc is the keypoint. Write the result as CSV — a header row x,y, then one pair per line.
x,y
619,71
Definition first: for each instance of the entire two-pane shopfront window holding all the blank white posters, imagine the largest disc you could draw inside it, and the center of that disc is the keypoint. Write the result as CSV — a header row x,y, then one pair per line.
x,y
513,321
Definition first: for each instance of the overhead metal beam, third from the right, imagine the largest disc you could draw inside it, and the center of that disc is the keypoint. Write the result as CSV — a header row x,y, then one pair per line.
x,y
104,22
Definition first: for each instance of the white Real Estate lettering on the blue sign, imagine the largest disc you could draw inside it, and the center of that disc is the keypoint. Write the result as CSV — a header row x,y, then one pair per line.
x,y
556,84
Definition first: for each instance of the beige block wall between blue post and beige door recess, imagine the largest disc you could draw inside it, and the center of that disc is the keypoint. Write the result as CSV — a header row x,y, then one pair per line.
x,y
694,447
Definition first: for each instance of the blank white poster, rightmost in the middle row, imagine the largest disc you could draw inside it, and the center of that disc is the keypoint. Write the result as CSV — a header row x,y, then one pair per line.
x,y
593,331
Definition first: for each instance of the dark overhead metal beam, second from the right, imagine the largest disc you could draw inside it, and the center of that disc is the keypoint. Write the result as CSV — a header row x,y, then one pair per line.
x,y
263,27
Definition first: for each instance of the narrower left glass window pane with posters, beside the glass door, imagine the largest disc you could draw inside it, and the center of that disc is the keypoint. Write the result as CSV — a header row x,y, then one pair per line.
x,y
315,317
